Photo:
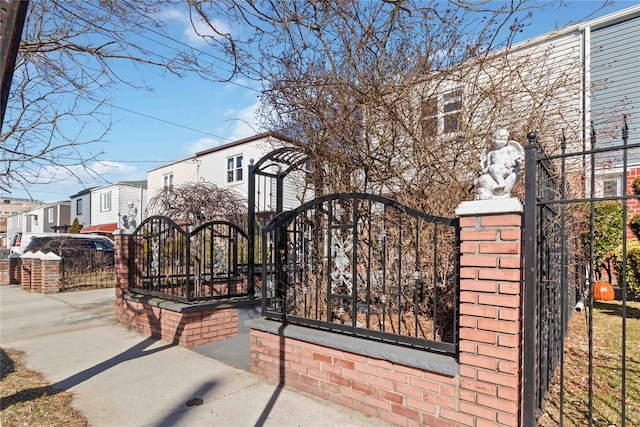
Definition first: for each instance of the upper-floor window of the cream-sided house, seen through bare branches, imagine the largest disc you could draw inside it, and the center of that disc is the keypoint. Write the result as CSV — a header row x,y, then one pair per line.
x,y
441,114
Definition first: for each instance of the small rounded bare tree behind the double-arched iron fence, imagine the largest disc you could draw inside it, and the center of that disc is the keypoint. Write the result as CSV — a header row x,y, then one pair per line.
x,y
198,203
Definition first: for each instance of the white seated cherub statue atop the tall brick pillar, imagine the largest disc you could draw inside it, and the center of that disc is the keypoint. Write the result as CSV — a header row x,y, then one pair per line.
x,y
500,167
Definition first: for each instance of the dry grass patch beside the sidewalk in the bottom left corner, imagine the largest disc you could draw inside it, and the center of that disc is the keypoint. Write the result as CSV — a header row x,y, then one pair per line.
x,y
27,399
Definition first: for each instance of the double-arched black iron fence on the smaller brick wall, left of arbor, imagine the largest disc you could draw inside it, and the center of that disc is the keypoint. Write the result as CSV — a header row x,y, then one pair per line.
x,y
206,263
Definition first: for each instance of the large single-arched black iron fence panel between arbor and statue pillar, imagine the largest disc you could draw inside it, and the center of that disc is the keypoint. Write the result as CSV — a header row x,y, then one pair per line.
x,y
367,266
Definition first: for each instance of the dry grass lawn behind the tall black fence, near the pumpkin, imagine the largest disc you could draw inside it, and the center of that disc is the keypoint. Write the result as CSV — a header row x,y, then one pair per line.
x,y
607,370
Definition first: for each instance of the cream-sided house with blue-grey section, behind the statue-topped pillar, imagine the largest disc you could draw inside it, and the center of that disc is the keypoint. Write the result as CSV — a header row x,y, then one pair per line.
x,y
584,74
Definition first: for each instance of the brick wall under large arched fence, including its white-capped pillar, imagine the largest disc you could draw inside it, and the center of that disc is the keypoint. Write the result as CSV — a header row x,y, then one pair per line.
x,y
487,391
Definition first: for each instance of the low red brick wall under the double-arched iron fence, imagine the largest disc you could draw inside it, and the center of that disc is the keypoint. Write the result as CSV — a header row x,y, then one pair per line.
x,y
180,324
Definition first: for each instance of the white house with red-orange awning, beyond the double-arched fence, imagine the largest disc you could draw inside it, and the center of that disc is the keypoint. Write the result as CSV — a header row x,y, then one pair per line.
x,y
104,209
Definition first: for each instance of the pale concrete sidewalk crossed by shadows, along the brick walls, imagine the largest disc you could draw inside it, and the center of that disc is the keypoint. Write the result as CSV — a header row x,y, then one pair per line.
x,y
121,378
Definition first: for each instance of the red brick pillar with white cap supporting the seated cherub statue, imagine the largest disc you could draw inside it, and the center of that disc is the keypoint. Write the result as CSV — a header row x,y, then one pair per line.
x,y
491,300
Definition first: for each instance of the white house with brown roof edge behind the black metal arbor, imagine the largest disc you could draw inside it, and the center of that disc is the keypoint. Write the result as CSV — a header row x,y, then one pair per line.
x,y
226,166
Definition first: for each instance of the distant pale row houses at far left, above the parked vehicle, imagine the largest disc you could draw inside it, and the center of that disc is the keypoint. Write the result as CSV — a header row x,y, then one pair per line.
x,y
48,218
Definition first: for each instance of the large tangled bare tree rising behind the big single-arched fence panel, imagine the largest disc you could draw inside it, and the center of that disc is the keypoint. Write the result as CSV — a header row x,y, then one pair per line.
x,y
368,89
